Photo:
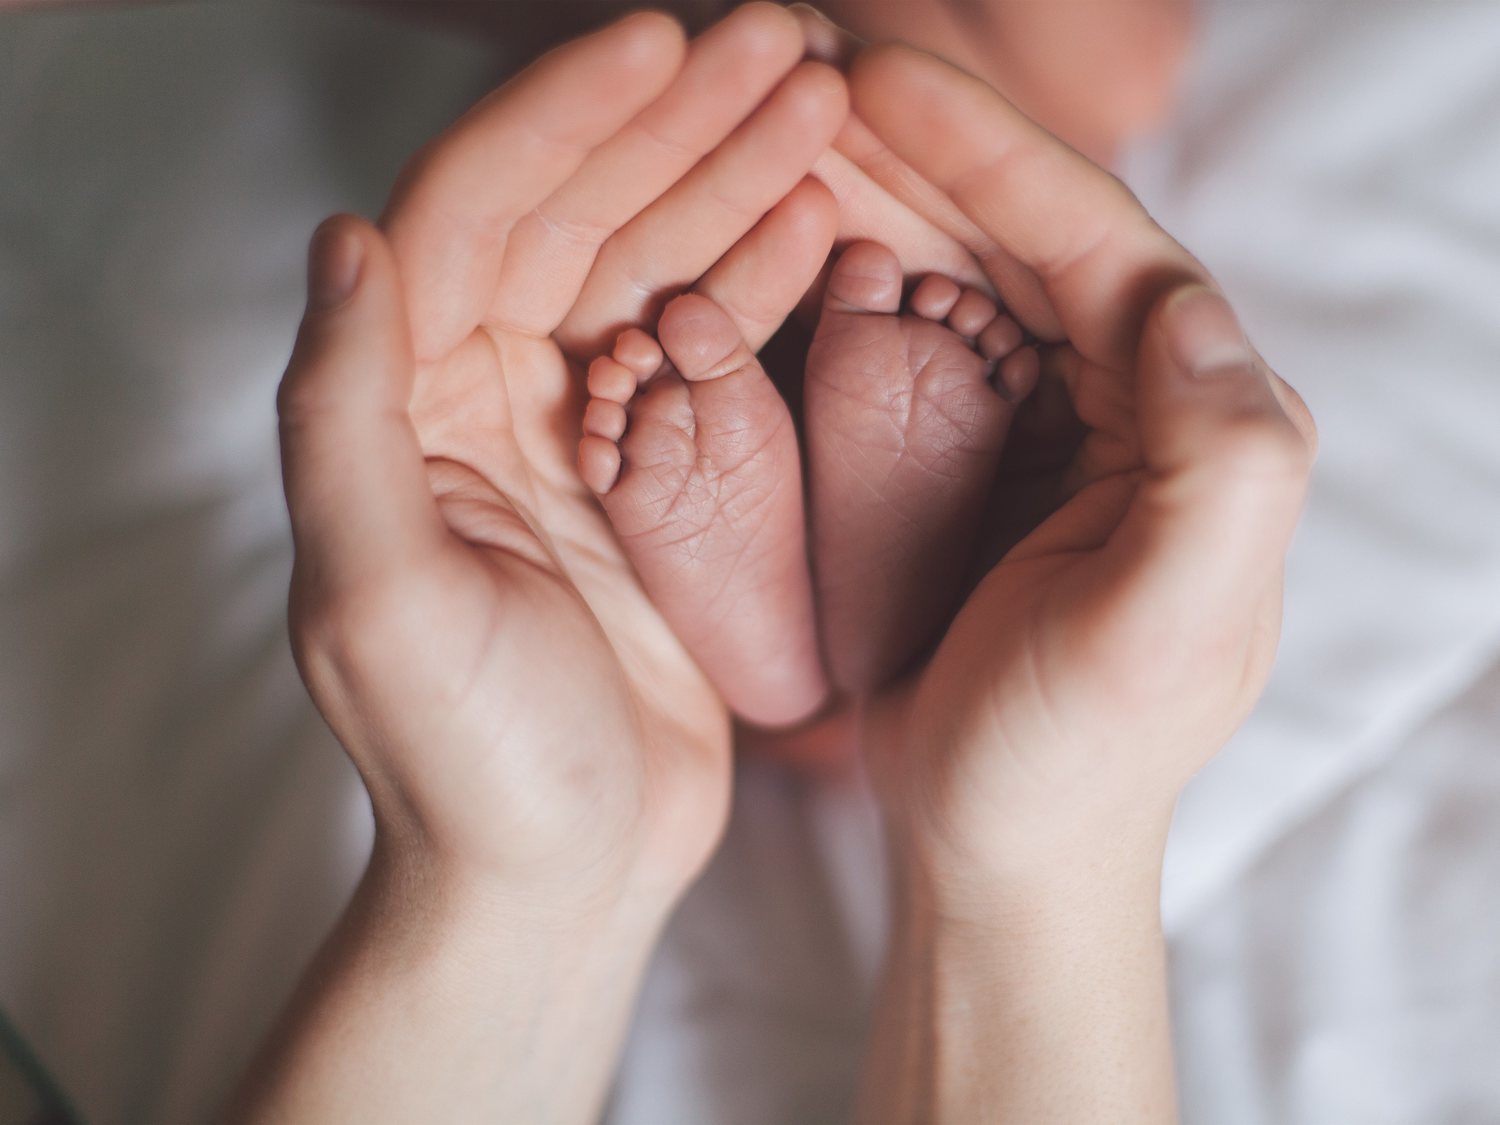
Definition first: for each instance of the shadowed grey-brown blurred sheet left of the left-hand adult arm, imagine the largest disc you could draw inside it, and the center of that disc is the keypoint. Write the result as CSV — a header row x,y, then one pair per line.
x,y
176,827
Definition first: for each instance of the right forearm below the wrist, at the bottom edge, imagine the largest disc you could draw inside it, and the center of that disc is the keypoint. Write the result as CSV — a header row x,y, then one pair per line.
x,y
1037,998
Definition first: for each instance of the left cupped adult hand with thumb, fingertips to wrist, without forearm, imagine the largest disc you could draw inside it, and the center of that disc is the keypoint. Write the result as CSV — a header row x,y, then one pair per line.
x,y
460,607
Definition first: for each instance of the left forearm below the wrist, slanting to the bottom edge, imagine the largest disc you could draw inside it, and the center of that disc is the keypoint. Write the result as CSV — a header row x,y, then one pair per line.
x,y
454,1003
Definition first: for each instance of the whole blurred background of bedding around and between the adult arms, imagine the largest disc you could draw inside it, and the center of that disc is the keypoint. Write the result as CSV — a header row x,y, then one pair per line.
x,y
178,830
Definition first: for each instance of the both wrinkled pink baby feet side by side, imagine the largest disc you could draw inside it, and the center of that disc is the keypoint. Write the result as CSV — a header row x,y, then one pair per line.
x,y
695,458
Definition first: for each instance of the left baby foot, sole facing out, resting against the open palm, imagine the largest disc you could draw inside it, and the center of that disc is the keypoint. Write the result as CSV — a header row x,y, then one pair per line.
x,y
695,458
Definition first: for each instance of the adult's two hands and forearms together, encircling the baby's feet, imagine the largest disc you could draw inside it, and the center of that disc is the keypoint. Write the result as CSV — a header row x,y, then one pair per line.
x,y
529,850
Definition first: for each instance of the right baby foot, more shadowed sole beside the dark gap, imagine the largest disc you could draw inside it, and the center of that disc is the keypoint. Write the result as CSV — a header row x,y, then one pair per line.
x,y
907,418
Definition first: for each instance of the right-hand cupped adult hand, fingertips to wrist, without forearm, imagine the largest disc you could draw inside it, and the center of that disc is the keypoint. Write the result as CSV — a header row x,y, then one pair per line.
x,y
1118,644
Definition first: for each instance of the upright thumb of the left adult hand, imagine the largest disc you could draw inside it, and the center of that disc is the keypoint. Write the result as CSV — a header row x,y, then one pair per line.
x,y
352,466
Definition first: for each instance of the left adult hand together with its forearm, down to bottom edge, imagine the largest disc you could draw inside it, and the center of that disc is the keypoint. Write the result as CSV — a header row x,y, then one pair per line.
x,y
458,592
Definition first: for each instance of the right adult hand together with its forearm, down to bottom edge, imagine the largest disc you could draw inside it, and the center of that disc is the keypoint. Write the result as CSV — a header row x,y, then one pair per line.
x,y
1030,770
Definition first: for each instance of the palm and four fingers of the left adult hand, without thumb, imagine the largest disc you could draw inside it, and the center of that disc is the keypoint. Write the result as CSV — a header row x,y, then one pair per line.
x,y
608,176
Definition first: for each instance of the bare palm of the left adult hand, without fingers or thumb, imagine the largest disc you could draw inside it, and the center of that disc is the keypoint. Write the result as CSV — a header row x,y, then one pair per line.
x,y
536,571
